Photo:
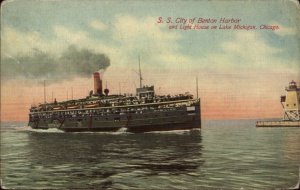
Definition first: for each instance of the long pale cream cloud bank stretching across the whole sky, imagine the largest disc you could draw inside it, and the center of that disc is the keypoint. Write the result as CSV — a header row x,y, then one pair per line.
x,y
159,48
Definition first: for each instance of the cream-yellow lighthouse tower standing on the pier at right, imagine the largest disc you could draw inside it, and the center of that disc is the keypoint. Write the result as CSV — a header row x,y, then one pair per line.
x,y
291,102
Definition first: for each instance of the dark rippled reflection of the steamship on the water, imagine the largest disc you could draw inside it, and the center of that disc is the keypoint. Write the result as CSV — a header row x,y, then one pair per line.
x,y
113,160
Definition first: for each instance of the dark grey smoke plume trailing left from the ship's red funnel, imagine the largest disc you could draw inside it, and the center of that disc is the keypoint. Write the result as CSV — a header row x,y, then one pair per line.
x,y
73,62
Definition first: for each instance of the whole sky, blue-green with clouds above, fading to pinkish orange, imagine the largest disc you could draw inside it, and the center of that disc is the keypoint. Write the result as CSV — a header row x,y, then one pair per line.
x,y
241,73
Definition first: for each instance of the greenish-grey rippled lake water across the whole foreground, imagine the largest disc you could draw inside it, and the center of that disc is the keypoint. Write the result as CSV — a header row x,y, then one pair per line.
x,y
222,155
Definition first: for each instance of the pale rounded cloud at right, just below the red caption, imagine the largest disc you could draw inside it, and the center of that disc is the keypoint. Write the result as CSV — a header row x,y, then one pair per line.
x,y
247,50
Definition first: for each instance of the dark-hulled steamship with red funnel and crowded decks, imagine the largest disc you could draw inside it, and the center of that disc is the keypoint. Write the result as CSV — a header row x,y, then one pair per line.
x,y
99,111
